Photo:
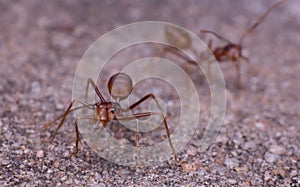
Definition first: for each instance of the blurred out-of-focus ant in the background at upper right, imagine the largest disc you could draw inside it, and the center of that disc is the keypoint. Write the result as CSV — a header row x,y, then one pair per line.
x,y
230,52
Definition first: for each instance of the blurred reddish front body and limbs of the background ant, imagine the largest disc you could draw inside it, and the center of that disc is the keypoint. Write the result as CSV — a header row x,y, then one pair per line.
x,y
232,51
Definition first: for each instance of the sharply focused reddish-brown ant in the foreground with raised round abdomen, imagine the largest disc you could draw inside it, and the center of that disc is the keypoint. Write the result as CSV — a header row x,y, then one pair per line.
x,y
119,87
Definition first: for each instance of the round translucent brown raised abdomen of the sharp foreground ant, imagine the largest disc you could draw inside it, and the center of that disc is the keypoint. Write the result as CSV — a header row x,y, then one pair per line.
x,y
120,86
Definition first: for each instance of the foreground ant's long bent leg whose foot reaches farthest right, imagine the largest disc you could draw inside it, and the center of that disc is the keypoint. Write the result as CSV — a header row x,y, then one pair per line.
x,y
146,114
